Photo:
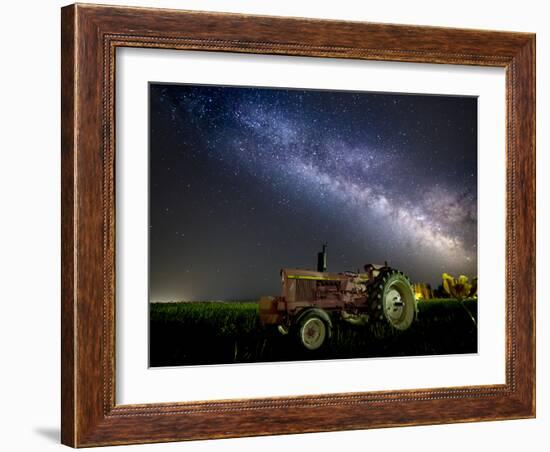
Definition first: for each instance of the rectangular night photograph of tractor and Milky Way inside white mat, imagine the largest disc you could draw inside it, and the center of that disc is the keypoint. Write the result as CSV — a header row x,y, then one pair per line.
x,y
243,179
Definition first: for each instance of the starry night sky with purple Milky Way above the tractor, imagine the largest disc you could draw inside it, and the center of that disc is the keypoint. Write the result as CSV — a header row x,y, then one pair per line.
x,y
245,181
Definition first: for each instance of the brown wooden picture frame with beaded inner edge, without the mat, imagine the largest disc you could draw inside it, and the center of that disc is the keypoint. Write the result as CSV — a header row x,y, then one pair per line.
x,y
90,37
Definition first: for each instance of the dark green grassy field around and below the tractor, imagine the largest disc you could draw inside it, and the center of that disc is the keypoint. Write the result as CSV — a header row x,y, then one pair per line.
x,y
230,332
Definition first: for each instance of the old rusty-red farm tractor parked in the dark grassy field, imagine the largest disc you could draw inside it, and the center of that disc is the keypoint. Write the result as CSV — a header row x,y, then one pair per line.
x,y
311,300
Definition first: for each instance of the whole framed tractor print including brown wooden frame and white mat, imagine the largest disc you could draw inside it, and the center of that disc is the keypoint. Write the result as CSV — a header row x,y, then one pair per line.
x,y
279,225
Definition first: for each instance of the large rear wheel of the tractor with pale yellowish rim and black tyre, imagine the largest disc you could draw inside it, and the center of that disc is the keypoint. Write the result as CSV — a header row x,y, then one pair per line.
x,y
393,295
